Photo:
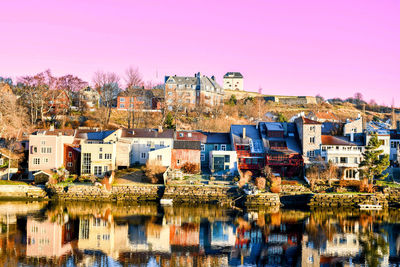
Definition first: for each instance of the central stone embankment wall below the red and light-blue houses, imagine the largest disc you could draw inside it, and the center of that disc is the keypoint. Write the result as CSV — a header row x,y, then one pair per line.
x,y
201,193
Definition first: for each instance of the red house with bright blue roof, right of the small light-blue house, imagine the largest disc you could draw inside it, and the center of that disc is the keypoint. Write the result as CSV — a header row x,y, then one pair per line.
x,y
247,142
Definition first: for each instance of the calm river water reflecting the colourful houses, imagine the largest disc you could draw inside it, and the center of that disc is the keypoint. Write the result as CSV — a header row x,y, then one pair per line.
x,y
93,234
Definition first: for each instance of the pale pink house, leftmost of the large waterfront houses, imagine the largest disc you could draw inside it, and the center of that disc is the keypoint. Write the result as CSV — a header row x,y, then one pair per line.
x,y
46,149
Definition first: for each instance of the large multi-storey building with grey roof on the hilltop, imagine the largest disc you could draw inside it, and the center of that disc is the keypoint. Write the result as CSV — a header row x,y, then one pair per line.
x,y
189,92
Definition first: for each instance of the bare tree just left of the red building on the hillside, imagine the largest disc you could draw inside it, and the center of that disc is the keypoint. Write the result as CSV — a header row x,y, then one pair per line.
x,y
107,84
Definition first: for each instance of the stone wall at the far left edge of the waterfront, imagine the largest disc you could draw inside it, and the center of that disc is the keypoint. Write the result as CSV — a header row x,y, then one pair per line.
x,y
22,192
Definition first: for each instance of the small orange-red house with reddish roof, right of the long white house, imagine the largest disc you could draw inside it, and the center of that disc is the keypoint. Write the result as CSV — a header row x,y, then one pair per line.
x,y
185,152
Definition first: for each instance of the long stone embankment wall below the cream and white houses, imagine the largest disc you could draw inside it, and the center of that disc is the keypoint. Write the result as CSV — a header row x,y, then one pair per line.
x,y
98,193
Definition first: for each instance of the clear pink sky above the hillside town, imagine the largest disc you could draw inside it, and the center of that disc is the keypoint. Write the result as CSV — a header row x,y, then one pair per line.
x,y
332,48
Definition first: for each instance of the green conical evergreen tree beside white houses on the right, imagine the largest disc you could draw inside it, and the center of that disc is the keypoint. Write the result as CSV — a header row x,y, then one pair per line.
x,y
374,163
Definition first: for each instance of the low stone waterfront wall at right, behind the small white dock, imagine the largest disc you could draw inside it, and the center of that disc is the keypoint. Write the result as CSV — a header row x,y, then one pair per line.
x,y
347,200
